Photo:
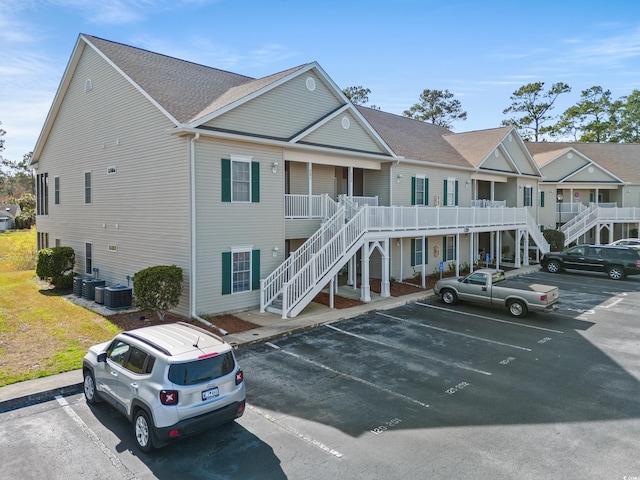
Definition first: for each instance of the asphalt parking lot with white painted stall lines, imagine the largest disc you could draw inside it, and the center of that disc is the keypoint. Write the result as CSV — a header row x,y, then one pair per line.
x,y
419,391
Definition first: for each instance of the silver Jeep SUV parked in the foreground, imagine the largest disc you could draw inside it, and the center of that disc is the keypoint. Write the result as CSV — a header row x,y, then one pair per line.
x,y
169,380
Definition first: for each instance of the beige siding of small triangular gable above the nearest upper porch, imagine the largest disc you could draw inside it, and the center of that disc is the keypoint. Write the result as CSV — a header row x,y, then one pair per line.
x,y
333,133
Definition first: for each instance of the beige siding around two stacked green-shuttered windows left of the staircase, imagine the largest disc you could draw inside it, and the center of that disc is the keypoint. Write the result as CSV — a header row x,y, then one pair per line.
x,y
222,226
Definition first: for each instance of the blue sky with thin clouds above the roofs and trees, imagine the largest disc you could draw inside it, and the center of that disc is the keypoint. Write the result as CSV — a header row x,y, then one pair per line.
x,y
480,51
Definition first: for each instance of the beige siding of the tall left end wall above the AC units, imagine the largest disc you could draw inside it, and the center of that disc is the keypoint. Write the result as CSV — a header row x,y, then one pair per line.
x,y
142,209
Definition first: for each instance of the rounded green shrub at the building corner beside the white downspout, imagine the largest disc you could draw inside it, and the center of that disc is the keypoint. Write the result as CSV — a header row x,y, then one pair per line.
x,y
158,288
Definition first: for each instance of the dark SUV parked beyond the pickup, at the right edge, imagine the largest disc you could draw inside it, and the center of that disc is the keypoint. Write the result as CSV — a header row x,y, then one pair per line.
x,y
613,260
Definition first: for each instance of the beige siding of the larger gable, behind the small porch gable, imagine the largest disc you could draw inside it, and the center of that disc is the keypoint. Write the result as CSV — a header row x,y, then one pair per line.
x,y
283,111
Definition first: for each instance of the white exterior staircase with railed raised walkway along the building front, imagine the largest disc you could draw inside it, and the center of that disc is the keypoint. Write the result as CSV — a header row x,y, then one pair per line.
x,y
294,284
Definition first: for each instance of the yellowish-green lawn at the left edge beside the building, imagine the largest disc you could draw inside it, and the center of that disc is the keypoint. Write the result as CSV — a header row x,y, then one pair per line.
x,y
41,333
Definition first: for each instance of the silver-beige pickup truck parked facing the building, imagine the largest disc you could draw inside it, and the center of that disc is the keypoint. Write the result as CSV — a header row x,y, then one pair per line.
x,y
491,287
